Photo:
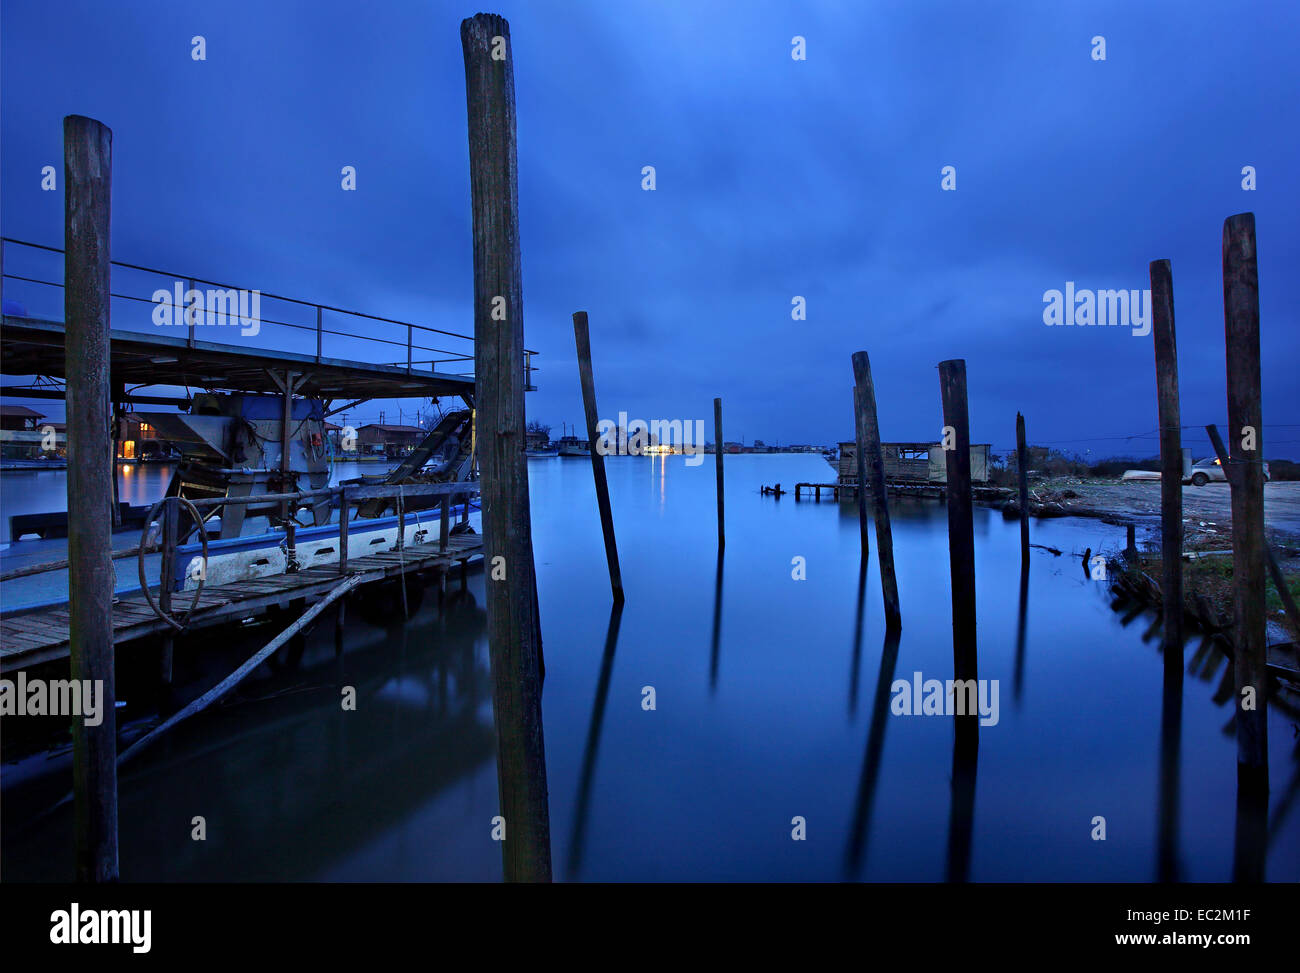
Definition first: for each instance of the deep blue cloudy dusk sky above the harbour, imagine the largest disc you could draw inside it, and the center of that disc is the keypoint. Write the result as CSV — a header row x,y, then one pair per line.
x,y
775,179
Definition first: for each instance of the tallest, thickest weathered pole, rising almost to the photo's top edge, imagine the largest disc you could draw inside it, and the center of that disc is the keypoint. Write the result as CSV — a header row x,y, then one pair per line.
x,y
512,604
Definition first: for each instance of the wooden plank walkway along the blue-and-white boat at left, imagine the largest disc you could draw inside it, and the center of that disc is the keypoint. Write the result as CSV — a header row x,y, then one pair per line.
x,y
42,637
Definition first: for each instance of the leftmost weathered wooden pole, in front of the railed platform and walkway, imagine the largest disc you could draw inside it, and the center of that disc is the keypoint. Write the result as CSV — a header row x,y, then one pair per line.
x,y
88,191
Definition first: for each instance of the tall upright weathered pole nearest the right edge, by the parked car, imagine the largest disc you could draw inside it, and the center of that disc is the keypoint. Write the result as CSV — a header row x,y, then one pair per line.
x,y
1246,426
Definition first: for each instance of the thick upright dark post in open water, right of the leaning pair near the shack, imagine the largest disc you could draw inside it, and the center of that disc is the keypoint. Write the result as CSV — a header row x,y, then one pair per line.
x,y
961,524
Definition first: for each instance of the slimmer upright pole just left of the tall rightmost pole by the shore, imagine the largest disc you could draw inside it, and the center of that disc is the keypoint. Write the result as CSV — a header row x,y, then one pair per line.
x,y
1171,461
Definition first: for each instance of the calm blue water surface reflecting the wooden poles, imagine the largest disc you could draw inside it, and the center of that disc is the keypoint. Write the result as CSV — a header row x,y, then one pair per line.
x,y
773,703
